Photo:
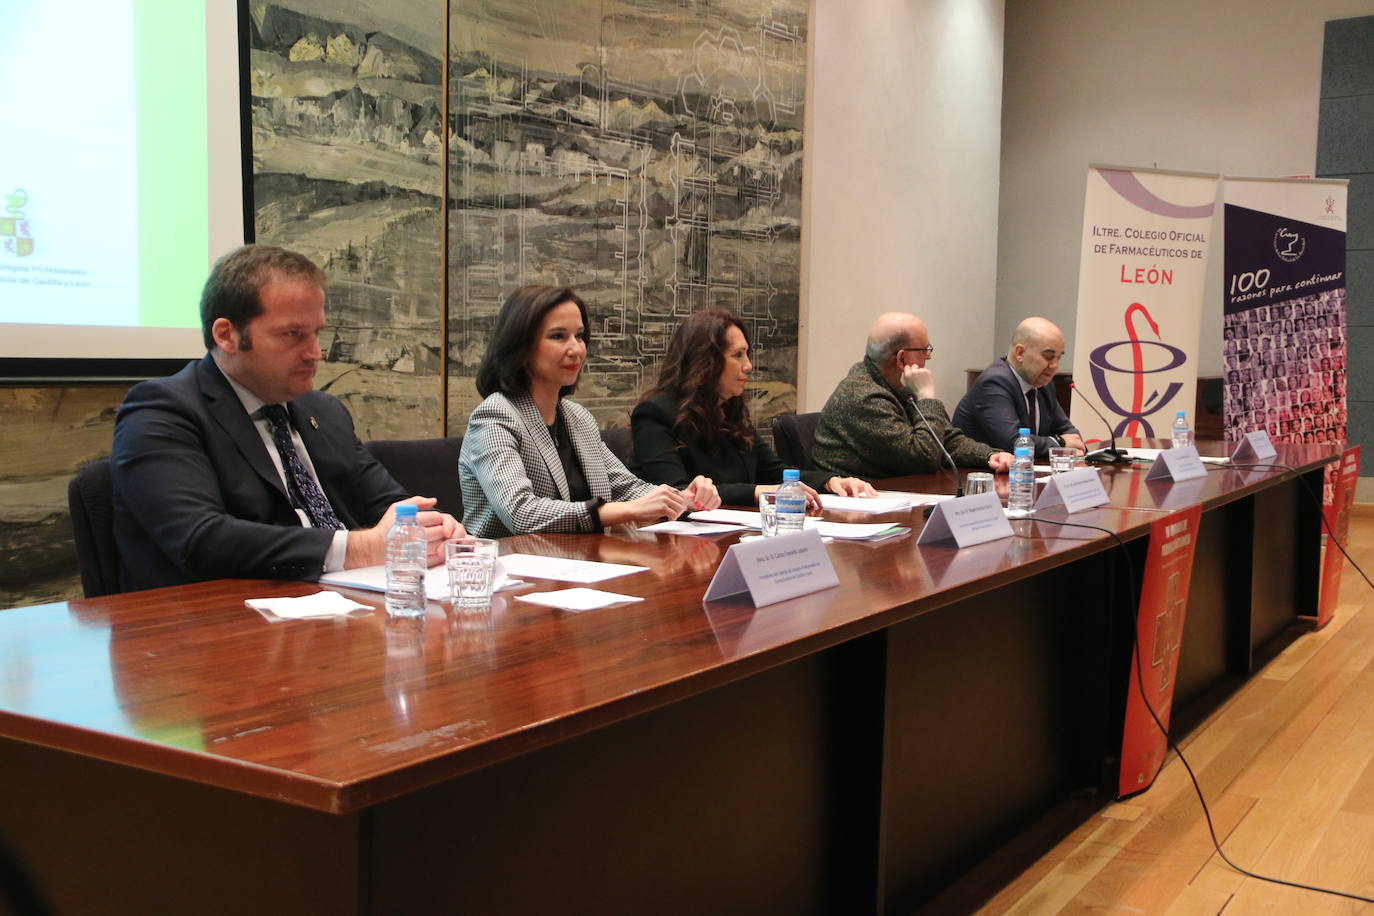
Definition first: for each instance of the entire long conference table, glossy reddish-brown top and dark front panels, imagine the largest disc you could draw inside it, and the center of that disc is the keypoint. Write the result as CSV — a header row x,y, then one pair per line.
x,y
853,751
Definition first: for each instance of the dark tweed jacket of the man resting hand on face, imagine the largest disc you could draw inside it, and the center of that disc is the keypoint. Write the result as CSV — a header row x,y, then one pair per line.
x,y
872,432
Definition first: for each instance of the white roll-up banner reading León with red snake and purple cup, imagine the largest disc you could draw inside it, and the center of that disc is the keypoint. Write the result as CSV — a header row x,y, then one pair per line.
x,y
1141,282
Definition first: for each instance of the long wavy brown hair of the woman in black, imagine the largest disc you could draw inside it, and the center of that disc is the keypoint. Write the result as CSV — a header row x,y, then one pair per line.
x,y
692,374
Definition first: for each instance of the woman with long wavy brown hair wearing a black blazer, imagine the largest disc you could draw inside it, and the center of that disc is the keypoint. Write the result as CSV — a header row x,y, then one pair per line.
x,y
695,422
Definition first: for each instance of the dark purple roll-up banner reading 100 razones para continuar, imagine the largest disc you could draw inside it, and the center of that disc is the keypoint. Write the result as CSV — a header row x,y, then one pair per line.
x,y
1284,328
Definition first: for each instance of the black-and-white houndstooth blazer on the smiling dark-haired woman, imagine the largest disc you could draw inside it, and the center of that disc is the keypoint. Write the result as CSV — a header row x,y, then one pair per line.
x,y
512,477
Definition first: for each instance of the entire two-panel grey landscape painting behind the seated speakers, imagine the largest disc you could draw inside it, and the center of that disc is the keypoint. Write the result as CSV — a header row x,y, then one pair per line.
x,y
646,154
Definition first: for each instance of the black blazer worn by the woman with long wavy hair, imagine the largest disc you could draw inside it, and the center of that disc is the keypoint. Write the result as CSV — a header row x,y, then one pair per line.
x,y
664,457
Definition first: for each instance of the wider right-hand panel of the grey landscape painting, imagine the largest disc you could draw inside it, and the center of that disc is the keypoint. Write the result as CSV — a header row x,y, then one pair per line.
x,y
649,156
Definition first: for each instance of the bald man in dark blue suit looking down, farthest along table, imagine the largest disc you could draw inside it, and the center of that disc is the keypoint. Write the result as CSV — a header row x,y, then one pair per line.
x,y
1015,387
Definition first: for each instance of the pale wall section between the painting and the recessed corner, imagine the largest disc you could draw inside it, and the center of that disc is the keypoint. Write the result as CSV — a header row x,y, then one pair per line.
x,y
903,122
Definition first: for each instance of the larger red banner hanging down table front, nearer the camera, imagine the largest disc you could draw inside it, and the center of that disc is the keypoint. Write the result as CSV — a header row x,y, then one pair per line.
x,y
1164,601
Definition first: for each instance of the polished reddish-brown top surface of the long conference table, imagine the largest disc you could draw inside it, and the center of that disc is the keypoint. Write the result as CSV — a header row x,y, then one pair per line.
x,y
341,713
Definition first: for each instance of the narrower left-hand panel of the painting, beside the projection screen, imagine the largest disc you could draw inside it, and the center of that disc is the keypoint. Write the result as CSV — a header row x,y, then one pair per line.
x,y
348,170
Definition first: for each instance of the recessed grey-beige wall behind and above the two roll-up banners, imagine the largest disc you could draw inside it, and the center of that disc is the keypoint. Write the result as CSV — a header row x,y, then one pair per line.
x,y
1229,87
